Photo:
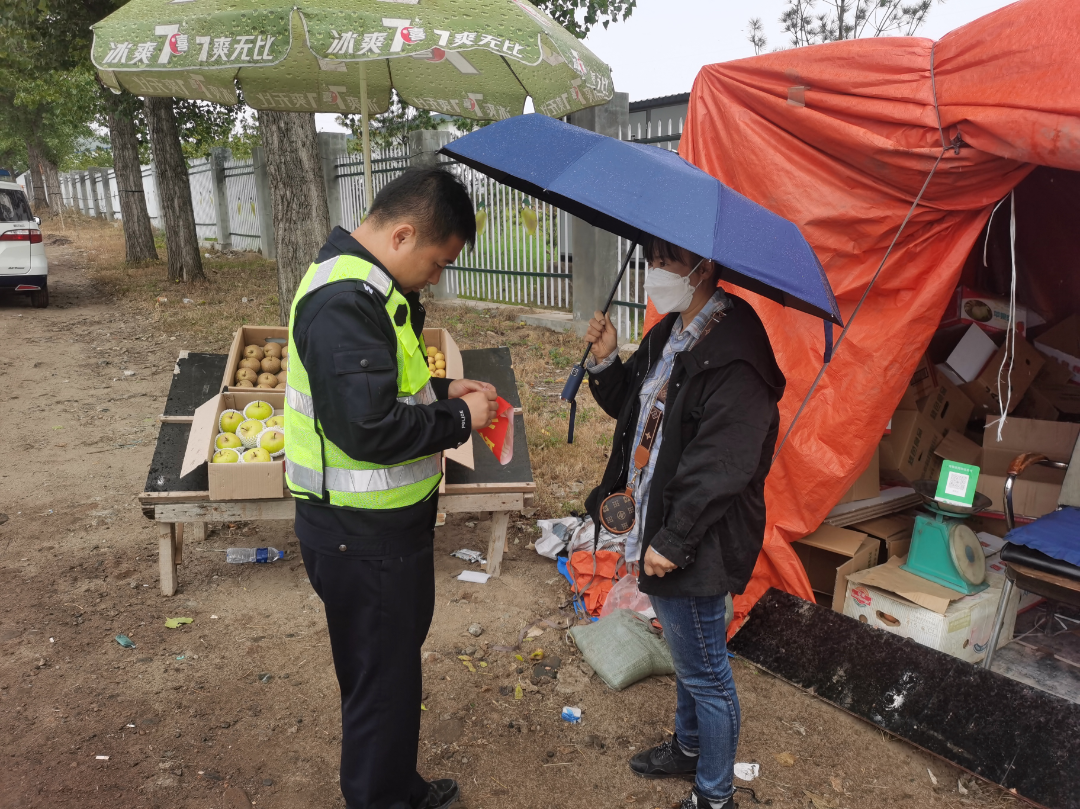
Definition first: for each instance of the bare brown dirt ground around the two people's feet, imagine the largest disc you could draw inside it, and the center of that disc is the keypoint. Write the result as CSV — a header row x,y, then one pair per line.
x,y
245,699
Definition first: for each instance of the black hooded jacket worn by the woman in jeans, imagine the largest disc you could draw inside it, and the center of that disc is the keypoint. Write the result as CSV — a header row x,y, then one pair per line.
x,y
707,501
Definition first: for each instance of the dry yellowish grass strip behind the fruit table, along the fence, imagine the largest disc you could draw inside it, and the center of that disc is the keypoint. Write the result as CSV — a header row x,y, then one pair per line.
x,y
564,474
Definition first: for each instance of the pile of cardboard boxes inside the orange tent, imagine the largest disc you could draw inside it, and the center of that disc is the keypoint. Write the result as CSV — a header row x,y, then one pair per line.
x,y
951,412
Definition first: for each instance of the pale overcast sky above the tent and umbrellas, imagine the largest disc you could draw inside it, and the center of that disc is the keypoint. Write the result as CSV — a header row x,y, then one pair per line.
x,y
664,45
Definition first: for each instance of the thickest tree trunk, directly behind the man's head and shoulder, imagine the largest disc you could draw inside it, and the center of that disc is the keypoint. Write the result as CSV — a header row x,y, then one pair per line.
x,y
302,221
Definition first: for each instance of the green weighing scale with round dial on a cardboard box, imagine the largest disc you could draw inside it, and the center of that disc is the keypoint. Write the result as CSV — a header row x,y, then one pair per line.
x,y
944,549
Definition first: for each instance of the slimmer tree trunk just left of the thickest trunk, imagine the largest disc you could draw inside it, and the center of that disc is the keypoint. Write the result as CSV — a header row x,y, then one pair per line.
x,y
174,192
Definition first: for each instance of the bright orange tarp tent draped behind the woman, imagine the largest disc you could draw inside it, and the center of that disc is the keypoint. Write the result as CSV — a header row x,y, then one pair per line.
x,y
840,139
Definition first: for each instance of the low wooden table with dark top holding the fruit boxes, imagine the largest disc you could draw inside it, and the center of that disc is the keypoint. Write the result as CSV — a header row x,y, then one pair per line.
x,y
182,506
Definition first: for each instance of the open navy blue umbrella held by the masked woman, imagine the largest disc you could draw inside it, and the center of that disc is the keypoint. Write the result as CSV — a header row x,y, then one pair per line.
x,y
633,191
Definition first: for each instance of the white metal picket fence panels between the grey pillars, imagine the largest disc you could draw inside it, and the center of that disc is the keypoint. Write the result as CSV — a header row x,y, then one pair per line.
x,y
524,248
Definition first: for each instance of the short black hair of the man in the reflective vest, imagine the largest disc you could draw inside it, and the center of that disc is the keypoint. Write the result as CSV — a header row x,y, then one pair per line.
x,y
434,200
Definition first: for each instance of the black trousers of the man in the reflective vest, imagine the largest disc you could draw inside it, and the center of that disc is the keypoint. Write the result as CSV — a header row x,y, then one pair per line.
x,y
379,612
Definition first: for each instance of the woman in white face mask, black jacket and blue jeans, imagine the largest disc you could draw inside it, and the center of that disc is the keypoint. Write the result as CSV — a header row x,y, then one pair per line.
x,y
697,423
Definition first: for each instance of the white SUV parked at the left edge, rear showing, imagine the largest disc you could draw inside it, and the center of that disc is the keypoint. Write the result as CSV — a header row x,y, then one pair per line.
x,y
23,265
